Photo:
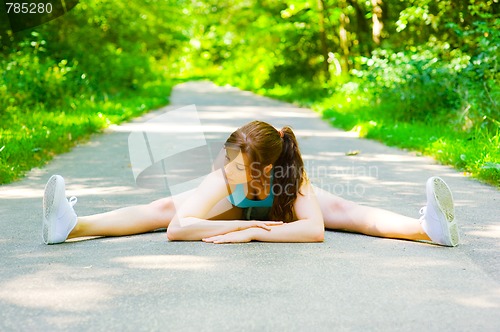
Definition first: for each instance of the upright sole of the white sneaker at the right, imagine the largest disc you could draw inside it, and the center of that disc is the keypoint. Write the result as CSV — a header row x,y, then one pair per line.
x,y
444,200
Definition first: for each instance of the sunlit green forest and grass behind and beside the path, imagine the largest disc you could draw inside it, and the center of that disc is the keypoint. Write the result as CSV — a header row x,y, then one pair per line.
x,y
418,74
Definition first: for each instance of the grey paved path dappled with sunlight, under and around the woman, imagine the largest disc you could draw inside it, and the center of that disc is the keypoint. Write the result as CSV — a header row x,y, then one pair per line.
x,y
349,282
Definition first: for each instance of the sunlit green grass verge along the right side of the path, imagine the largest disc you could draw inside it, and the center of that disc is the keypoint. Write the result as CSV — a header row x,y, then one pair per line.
x,y
475,153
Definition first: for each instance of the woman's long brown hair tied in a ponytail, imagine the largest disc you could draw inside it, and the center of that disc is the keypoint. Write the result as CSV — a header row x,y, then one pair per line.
x,y
262,145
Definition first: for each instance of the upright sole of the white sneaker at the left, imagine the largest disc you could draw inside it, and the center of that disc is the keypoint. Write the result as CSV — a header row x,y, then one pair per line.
x,y
52,190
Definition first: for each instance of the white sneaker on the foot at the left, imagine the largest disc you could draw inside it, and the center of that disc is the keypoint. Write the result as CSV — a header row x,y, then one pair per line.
x,y
59,218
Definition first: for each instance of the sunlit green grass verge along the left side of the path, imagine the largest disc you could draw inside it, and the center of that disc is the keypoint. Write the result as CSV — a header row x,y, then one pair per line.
x,y
31,139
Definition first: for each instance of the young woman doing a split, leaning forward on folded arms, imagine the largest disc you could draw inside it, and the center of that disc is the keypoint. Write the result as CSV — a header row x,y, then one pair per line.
x,y
262,193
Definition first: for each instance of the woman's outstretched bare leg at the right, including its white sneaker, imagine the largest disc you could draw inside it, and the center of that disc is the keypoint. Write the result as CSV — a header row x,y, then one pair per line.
x,y
437,224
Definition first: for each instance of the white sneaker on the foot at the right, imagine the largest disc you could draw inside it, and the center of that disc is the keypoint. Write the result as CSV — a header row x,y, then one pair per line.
x,y
438,217
